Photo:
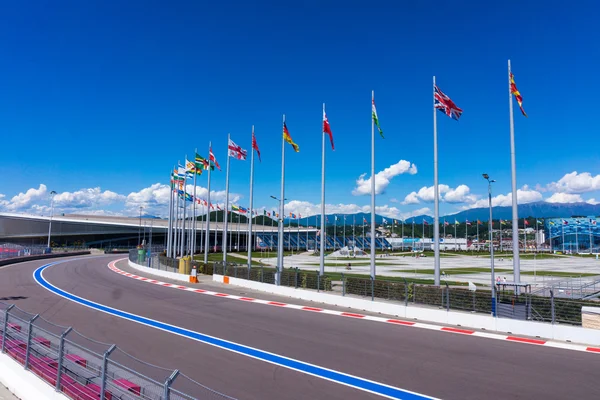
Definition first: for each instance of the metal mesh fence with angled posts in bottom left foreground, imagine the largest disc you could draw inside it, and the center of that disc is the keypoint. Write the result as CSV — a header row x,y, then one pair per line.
x,y
84,369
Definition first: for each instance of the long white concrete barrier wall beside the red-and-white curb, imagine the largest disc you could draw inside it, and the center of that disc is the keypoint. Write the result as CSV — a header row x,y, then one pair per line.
x,y
566,333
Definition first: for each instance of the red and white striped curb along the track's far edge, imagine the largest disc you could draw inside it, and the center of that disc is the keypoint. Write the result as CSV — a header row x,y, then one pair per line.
x,y
467,332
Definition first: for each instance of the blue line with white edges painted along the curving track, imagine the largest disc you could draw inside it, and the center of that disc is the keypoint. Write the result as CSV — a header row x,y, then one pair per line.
x,y
296,365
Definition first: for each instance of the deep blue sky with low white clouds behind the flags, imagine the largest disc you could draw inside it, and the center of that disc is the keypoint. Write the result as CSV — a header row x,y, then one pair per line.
x,y
104,96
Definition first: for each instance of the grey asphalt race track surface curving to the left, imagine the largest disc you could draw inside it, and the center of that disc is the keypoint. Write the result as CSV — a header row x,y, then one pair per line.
x,y
431,363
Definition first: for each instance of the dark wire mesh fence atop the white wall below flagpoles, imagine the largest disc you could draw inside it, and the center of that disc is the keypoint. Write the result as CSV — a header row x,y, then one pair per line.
x,y
509,303
